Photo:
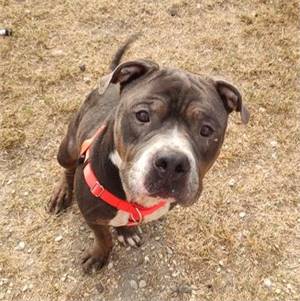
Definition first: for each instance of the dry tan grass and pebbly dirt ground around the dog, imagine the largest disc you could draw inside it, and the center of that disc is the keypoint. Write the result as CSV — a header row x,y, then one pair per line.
x,y
241,240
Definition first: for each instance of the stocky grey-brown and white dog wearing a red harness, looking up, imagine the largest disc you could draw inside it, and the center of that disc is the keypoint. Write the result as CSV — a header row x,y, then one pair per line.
x,y
141,143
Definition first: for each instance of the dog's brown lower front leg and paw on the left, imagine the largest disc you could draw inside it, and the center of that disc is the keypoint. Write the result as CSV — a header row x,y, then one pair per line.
x,y
98,254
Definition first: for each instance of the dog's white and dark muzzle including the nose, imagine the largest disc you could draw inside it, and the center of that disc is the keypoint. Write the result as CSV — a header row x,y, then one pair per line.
x,y
165,168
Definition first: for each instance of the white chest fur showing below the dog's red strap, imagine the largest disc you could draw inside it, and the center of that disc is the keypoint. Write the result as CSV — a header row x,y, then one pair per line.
x,y
121,218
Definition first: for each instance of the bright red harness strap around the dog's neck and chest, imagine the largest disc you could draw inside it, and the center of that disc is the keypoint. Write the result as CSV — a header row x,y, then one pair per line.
x,y
136,212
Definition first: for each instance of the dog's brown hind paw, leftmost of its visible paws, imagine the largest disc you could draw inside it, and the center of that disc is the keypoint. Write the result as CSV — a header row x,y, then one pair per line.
x,y
60,200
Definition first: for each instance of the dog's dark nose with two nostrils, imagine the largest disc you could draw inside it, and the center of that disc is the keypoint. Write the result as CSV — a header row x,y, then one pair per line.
x,y
172,164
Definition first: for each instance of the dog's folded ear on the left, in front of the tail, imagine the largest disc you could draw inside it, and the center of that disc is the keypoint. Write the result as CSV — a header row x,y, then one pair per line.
x,y
127,72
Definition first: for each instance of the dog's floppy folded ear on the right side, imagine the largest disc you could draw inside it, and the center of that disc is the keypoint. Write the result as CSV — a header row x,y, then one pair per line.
x,y
232,99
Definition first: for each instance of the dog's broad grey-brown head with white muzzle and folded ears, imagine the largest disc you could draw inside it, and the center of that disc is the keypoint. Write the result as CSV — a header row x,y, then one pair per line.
x,y
168,129
